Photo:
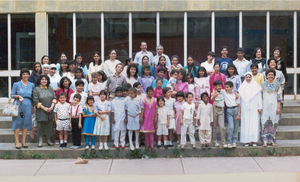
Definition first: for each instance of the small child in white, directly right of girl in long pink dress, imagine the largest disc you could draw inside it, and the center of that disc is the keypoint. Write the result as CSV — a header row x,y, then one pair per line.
x,y
162,118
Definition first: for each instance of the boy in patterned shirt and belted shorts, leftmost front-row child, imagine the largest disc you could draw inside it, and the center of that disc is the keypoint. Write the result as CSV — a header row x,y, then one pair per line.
x,y
61,118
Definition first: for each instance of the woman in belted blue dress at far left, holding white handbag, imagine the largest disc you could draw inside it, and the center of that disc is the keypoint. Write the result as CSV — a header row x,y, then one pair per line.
x,y
22,92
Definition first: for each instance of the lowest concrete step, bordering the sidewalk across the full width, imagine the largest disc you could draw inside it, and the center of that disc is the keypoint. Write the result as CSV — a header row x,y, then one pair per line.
x,y
285,147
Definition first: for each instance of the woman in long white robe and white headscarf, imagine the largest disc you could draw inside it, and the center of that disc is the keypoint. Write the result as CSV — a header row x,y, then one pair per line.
x,y
251,105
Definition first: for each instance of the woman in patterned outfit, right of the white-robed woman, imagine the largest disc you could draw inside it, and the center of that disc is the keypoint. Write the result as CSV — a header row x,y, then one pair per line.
x,y
271,107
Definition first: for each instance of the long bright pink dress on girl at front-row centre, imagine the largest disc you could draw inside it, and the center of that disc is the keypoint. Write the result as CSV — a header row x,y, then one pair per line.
x,y
149,115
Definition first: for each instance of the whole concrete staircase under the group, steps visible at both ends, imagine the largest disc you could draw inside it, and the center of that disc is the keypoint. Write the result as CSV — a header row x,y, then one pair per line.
x,y
288,139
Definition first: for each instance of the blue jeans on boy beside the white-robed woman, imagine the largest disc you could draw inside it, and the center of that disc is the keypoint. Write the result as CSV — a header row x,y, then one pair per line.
x,y
233,125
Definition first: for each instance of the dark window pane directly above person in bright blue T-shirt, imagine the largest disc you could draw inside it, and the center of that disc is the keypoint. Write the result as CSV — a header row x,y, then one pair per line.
x,y
227,33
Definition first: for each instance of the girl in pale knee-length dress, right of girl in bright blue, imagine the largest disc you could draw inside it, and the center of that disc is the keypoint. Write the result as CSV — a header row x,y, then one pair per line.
x,y
102,125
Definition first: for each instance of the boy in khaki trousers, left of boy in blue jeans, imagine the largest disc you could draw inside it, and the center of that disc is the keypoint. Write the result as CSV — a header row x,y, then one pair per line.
x,y
218,105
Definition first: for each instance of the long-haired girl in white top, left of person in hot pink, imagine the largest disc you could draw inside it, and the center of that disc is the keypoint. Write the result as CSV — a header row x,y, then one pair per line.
x,y
202,81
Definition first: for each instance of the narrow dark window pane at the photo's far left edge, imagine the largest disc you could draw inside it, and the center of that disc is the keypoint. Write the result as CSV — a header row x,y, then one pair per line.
x,y
3,45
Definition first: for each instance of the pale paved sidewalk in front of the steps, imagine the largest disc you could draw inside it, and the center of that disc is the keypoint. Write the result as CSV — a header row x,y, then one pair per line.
x,y
176,169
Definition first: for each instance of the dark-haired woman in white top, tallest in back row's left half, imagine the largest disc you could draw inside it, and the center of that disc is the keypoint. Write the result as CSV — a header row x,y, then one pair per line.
x,y
109,66
